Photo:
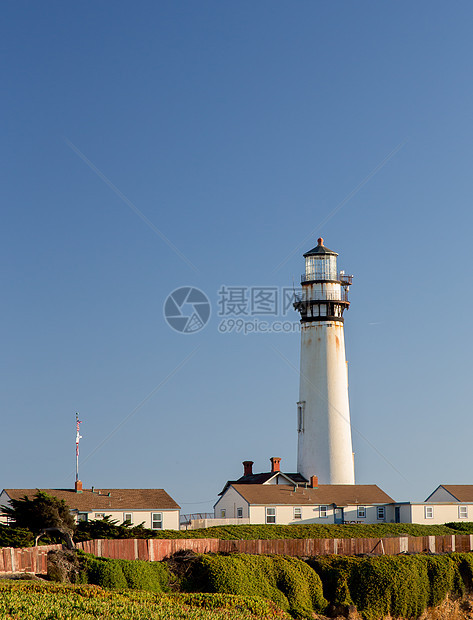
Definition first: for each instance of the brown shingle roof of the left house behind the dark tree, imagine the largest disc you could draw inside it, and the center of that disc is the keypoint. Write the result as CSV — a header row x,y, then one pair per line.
x,y
120,499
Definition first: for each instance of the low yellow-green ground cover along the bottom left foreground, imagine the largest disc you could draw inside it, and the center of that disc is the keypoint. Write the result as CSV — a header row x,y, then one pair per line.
x,y
43,601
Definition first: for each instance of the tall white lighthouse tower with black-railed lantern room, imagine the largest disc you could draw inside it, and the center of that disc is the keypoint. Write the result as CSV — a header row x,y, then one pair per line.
x,y
323,414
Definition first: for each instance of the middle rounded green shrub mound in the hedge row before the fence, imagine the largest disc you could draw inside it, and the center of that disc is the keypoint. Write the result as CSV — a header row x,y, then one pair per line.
x,y
288,582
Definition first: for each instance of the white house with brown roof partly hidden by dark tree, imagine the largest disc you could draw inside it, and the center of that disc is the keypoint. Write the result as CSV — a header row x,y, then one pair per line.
x,y
152,507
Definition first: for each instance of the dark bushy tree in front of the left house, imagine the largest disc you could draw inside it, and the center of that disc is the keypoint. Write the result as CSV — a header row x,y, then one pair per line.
x,y
40,513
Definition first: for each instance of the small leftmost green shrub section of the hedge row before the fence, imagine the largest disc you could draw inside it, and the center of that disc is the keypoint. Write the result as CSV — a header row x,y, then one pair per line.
x,y
132,574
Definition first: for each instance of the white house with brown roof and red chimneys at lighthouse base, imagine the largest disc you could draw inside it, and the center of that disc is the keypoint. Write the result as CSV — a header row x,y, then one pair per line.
x,y
276,497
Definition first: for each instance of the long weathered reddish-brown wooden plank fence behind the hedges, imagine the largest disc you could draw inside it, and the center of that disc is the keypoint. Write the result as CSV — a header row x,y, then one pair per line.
x,y
34,559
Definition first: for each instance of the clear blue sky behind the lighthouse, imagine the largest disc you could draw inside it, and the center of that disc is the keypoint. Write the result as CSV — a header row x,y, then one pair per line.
x,y
236,128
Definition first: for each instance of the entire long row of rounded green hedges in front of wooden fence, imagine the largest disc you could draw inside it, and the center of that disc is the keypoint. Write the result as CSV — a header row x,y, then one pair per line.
x,y
402,586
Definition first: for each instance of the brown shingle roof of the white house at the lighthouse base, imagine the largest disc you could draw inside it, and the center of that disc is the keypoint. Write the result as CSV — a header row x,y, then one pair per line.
x,y
325,494
